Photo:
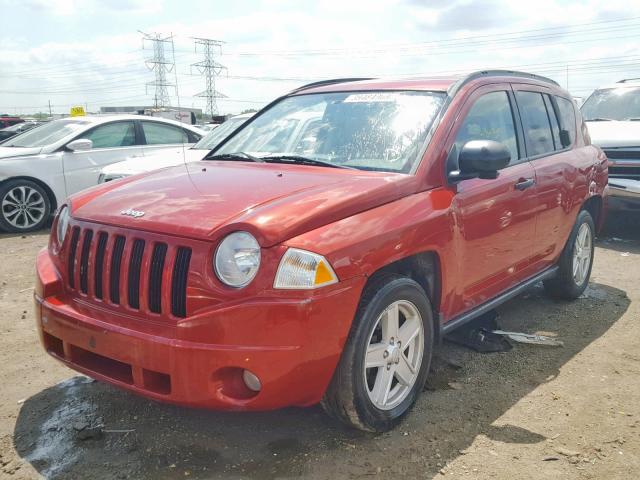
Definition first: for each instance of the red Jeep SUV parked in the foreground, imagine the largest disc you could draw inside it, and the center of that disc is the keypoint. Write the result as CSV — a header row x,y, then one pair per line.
x,y
266,277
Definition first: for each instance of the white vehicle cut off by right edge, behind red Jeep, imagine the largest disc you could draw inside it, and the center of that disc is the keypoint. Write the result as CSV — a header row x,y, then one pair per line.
x,y
612,115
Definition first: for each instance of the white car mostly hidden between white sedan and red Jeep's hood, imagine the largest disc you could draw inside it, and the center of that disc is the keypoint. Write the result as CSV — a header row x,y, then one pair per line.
x,y
173,156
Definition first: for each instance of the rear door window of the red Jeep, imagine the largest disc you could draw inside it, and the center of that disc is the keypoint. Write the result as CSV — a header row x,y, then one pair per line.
x,y
535,121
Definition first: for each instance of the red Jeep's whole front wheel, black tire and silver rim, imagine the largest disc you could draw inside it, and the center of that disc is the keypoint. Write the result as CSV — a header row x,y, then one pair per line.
x,y
353,388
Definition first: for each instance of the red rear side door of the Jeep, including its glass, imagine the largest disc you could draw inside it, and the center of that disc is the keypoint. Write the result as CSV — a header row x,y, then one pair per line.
x,y
551,154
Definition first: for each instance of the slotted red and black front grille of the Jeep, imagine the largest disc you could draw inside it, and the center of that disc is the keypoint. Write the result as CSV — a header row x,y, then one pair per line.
x,y
118,266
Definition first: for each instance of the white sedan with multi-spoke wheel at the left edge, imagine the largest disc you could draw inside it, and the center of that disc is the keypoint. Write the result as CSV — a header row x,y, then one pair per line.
x,y
41,167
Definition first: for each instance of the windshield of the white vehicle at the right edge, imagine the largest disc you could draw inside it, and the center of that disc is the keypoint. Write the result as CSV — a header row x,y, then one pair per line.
x,y
613,104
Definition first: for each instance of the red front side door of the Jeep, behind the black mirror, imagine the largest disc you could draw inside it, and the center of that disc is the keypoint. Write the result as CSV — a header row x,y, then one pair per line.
x,y
495,218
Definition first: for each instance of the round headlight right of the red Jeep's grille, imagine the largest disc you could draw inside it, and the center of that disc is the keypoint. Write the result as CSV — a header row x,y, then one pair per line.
x,y
237,259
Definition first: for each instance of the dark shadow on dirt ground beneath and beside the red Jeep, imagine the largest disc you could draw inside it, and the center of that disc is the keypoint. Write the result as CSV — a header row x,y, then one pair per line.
x,y
84,429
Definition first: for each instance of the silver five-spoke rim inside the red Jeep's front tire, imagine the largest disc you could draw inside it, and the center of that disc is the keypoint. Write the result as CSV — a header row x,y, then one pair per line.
x,y
394,355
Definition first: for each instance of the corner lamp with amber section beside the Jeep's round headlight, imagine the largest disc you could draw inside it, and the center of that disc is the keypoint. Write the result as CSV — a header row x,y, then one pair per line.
x,y
300,269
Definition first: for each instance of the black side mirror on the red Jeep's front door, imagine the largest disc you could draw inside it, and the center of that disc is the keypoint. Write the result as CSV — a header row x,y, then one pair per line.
x,y
481,158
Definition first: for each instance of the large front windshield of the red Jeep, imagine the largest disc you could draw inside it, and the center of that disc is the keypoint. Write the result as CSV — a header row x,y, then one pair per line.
x,y
374,130
